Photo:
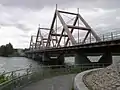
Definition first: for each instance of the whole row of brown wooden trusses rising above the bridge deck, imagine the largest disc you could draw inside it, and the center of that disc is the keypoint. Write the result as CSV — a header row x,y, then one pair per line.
x,y
54,39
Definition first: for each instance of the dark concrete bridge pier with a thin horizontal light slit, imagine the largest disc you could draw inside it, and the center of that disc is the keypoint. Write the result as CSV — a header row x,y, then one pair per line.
x,y
52,60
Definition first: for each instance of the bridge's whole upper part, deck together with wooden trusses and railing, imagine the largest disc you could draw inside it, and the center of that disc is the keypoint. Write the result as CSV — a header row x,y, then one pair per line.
x,y
62,36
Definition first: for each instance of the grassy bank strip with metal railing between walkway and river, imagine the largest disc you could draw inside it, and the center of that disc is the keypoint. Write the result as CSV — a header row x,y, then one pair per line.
x,y
17,79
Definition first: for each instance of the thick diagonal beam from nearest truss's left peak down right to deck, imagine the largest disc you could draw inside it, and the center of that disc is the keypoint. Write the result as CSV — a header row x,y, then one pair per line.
x,y
66,28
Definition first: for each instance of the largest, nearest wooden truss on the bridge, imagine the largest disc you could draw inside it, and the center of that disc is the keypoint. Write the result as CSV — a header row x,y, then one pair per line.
x,y
68,29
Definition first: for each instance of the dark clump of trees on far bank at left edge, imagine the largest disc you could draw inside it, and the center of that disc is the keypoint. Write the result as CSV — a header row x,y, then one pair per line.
x,y
6,50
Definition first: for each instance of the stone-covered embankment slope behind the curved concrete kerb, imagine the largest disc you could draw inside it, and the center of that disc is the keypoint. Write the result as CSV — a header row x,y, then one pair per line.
x,y
104,79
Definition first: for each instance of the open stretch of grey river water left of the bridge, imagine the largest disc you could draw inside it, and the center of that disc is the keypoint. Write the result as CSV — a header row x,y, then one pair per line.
x,y
15,63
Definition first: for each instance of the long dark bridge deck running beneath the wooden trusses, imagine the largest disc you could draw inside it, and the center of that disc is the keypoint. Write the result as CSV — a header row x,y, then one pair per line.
x,y
81,46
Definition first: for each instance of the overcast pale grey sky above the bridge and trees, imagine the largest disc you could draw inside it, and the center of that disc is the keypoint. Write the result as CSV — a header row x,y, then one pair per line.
x,y
19,19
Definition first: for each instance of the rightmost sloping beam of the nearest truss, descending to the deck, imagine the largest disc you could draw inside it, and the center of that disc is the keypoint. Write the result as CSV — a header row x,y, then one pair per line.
x,y
87,25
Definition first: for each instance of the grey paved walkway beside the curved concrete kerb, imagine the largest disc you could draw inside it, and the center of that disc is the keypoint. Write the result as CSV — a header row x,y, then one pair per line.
x,y
56,83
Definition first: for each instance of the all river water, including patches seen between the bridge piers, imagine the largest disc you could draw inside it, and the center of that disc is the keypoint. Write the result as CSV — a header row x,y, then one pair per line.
x,y
15,63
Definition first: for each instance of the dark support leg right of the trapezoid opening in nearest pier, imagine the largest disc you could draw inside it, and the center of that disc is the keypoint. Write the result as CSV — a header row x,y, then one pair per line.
x,y
106,58
